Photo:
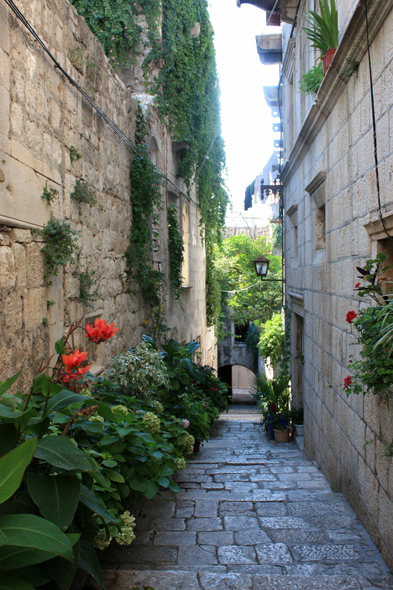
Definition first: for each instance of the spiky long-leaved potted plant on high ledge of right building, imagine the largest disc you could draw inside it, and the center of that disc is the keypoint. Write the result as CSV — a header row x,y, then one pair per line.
x,y
323,31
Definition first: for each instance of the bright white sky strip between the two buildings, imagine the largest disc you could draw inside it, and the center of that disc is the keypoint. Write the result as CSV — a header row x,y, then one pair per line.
x,y
246,118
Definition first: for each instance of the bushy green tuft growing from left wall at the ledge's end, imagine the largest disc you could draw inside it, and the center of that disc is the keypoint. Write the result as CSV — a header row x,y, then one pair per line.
x,y
60,245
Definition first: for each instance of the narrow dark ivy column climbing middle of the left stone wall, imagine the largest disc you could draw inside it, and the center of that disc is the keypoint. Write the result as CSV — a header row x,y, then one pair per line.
x,y
146,201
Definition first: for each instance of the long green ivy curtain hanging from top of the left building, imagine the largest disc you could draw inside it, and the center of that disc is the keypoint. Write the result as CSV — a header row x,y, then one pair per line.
x,y
187,97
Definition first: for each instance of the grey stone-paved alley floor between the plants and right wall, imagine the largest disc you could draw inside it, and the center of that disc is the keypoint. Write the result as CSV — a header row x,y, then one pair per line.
x,y
253,515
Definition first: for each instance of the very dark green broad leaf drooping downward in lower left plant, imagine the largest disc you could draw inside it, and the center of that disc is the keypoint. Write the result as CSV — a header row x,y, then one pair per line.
x,y
57,496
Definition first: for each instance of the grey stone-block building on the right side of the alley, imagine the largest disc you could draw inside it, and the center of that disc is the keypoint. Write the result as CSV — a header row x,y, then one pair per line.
x,y
333,224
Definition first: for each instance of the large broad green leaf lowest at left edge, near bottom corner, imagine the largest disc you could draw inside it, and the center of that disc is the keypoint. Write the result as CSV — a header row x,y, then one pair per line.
x,y
28,530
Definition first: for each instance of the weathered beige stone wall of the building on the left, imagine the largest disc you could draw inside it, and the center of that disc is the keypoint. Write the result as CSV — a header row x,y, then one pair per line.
x,y
44,121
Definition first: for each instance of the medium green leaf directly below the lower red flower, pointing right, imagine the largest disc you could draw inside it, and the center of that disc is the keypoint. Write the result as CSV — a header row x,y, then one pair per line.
x,y
61,452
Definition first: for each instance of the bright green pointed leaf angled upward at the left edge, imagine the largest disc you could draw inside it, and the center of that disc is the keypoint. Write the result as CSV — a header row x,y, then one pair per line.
x,y
12,467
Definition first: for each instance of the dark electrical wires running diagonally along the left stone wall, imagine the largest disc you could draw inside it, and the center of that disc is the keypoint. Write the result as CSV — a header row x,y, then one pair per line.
x,y
109,122
